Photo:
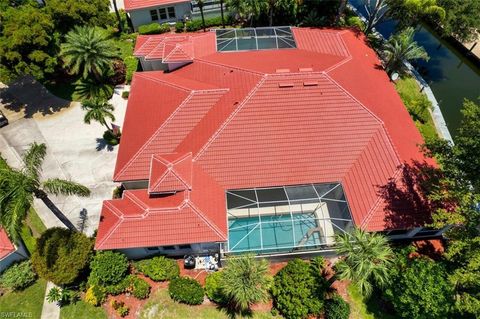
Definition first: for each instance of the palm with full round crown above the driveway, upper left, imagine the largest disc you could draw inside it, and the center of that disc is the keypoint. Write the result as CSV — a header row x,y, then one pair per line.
x,y
87,51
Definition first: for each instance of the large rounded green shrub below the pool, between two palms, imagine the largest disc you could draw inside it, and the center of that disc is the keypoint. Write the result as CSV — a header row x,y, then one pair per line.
x,y
299,290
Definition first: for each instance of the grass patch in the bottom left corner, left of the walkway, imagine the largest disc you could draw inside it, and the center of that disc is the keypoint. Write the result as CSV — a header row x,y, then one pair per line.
x,y
28,302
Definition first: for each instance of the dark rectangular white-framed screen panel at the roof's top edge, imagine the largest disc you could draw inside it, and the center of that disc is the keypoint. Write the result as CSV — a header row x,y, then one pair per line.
x,y
255,39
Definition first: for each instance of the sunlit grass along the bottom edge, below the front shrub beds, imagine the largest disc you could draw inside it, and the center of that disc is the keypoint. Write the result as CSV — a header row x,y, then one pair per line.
x,y
161,306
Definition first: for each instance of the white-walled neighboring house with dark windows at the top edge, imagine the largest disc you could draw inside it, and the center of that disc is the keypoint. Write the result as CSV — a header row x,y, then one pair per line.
x,y
165,11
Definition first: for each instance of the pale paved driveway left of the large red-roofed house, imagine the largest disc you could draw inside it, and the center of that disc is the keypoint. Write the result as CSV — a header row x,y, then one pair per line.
x,y
74,151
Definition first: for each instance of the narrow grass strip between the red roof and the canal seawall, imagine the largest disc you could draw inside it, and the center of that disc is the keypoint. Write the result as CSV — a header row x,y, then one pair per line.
x,y
417,105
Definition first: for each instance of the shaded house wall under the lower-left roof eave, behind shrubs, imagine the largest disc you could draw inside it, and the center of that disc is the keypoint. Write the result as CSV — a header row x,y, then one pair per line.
x,y
175,251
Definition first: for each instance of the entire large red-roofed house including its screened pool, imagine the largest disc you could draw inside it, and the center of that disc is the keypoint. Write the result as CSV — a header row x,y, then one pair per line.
x,y
267,140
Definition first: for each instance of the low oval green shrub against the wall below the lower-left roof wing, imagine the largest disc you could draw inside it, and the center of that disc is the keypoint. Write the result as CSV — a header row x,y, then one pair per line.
x,y
158,268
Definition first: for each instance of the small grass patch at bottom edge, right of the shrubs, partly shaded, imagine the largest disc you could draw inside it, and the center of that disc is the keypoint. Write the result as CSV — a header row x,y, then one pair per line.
x,y
365,309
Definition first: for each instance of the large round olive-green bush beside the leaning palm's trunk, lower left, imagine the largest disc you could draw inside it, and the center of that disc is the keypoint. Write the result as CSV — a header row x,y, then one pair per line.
x,y
61,255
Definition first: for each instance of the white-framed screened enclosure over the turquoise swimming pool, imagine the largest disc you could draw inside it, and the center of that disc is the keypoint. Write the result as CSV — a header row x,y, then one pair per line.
x,y
286,218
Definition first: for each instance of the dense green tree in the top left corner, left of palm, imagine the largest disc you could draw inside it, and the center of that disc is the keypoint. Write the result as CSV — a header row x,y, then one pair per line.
x,y
28,42
